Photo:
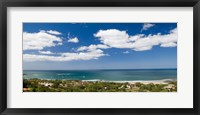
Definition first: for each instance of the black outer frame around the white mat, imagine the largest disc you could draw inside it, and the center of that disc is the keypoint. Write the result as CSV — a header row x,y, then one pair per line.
x,y
99,3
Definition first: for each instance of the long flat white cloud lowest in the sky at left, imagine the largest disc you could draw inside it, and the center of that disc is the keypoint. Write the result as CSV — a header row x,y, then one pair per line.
x,y
95,54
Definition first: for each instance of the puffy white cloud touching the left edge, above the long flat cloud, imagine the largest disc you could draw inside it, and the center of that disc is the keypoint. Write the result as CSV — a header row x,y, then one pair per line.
x,y
37,41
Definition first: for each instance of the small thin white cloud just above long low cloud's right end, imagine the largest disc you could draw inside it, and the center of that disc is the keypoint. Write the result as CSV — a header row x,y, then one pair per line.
x,y
93,47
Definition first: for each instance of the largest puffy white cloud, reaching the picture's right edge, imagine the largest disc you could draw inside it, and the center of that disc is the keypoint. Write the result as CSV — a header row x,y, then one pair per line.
x,y
121,39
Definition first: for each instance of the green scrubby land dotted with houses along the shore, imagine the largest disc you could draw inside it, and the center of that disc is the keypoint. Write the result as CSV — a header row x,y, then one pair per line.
x,y
38,85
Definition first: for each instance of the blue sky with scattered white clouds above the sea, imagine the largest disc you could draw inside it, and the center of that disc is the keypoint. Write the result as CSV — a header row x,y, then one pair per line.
x,y
76,46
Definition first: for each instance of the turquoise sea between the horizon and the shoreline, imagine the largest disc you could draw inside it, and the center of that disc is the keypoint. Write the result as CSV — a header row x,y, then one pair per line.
x,y
107,75
